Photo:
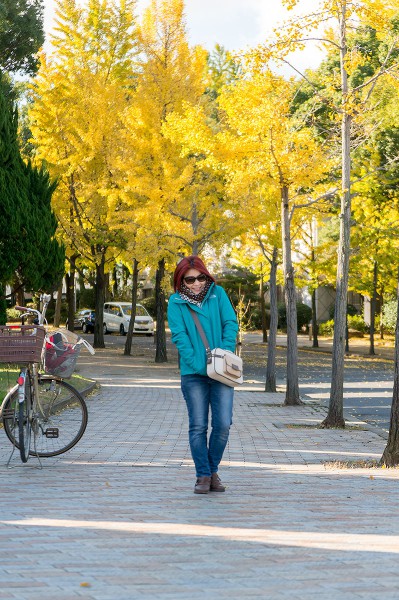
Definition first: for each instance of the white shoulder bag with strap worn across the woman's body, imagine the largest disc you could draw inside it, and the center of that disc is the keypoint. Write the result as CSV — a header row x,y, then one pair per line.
x,y
222,365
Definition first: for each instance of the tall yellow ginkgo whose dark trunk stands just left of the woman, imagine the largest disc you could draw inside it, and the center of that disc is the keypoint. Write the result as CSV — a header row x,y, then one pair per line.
x,y
177,193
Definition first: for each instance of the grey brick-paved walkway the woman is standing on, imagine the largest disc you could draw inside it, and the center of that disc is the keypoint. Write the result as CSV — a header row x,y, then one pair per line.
x,y
116,518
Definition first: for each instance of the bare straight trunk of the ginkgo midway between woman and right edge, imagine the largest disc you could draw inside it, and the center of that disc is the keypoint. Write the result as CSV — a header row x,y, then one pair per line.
x,y
292,391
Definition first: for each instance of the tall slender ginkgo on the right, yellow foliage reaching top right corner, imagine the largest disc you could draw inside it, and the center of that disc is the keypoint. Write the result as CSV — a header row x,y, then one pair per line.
x,y
347,99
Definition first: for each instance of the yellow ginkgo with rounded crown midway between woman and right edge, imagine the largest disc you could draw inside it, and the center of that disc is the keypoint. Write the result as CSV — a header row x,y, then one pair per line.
x,y
260,143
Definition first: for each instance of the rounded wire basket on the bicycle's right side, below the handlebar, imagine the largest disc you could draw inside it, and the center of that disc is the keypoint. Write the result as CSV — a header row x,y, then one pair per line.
x,y
61,351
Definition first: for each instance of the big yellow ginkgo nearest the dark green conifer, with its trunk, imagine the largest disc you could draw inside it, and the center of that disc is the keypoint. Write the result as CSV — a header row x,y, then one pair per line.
x,y
79,96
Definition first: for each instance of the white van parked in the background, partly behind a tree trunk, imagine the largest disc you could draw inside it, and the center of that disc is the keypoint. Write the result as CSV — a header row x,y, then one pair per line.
x,y
117,317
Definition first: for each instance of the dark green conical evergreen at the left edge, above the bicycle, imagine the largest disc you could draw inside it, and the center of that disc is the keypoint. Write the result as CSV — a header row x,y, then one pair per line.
x,y
29,252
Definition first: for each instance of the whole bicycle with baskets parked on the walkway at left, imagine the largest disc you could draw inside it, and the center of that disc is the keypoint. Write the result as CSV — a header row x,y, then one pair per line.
x,y
42,406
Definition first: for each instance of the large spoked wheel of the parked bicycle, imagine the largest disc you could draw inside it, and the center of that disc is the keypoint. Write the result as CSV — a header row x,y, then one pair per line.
x,y
59,419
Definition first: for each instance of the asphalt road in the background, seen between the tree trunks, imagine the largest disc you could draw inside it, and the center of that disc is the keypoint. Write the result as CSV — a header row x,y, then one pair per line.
x,y
368,382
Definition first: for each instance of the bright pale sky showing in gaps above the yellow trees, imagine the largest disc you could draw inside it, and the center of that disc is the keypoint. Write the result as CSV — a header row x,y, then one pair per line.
x,y
234,24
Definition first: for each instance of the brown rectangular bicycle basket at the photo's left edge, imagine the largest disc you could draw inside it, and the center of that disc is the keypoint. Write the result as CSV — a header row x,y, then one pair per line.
x,y
21,343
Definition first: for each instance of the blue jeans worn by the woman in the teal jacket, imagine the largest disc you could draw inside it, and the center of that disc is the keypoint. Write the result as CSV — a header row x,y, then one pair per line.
x,y
201,393
